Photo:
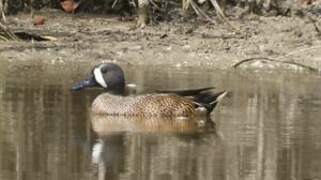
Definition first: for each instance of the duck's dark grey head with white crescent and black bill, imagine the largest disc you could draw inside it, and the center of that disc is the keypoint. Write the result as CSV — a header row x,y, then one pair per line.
x,y
108,76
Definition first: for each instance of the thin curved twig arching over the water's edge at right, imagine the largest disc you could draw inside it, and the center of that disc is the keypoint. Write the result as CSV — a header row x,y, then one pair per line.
x,y
312,69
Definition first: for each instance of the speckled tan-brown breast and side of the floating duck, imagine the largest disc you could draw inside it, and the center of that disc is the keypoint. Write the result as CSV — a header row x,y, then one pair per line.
x,y
161,105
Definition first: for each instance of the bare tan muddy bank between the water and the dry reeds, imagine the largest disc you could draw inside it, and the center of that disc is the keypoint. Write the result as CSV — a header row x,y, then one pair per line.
x,y
96,38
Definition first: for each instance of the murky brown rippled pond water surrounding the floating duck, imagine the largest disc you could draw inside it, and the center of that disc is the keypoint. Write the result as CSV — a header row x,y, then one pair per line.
x,y
268,128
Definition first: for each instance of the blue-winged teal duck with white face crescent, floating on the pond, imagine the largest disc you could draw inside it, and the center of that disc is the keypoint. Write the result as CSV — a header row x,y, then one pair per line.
x,y
174,104
